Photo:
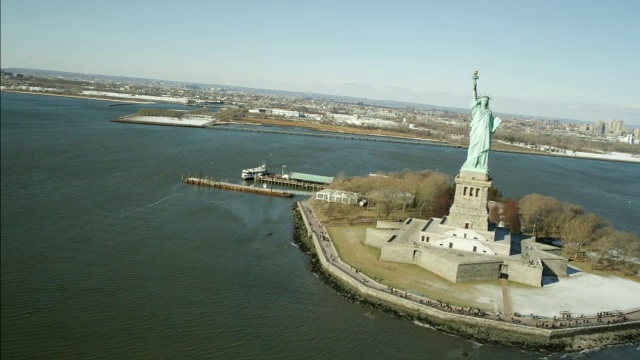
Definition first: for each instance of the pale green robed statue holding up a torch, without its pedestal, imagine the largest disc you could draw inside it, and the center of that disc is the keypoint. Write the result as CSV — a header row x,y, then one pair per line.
x,y
483,125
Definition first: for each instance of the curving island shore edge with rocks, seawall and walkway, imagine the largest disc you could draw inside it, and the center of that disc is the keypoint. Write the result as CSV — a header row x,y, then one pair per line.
x,y
468,326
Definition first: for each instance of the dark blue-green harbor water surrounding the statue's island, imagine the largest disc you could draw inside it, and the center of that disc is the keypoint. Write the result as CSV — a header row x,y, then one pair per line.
x,y
106,254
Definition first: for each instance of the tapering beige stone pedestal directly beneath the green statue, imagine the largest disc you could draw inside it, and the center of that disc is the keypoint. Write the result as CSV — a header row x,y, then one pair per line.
x,y
469,210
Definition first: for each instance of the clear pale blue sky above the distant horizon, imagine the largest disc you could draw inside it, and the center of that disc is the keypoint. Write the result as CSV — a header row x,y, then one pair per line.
x,y
563,58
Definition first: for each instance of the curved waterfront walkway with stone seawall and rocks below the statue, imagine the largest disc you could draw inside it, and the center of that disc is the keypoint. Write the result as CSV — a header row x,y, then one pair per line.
x,y
472,323
